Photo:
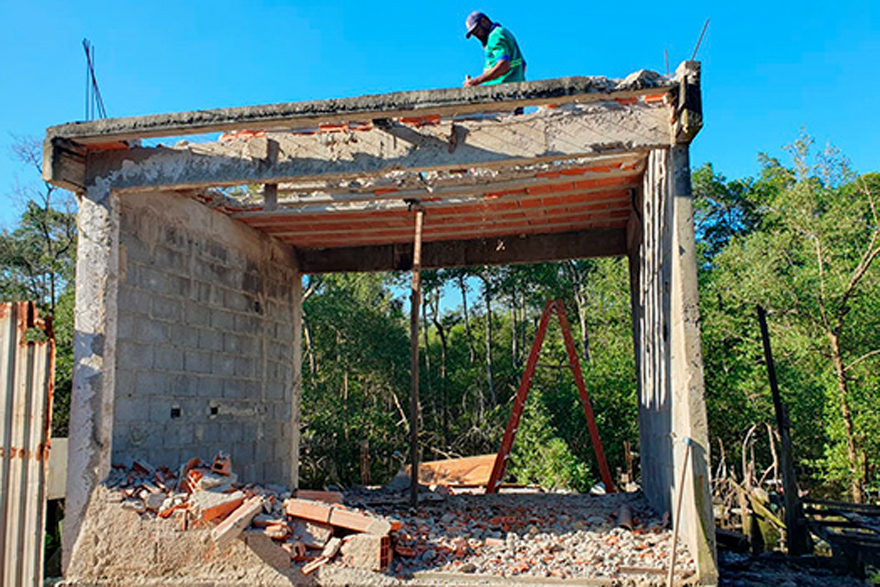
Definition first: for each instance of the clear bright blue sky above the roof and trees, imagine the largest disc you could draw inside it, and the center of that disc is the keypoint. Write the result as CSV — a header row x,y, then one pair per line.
x,y
769,68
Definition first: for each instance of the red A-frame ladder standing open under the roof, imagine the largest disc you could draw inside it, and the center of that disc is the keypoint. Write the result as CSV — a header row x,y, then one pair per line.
x,y
516,413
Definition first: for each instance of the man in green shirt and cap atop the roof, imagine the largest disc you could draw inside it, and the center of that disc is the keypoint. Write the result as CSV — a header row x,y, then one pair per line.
x,y
504,61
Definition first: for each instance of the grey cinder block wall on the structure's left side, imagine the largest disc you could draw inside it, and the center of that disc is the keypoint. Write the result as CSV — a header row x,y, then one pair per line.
x,y
204,339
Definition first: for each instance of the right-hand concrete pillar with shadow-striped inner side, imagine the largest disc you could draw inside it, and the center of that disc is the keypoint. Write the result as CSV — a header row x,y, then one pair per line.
x,y
663,276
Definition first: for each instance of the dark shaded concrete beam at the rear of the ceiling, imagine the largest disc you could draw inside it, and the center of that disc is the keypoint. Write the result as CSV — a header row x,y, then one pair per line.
x,y
491,251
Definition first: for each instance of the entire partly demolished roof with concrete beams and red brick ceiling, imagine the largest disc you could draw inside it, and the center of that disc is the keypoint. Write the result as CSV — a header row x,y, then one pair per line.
x,y
339,179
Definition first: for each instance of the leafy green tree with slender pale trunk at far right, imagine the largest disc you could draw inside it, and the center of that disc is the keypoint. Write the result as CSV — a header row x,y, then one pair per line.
x,y
810,261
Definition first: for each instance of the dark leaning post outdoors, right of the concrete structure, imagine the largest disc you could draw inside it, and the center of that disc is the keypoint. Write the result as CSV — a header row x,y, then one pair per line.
x,y
796,539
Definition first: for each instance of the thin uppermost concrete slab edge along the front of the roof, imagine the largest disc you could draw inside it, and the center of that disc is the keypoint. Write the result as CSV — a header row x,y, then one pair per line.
x,y
444,102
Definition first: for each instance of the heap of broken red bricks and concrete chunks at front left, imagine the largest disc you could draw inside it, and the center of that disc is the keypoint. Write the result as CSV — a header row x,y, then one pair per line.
x,y
308,529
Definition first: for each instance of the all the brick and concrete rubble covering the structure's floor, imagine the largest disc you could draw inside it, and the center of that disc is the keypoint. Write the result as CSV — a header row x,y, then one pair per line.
x,y
522,534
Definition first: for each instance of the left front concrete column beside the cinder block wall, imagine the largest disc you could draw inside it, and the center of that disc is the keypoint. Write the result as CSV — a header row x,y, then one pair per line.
x,y
92,399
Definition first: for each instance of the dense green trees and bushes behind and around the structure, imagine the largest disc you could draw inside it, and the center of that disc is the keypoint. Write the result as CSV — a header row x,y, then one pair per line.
x,y
800,239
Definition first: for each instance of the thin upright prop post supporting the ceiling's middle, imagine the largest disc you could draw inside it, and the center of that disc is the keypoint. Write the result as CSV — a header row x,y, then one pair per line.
x,y
415,302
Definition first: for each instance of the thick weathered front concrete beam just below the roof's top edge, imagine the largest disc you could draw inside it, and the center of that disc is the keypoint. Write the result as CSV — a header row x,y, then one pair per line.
x,y
597,129
